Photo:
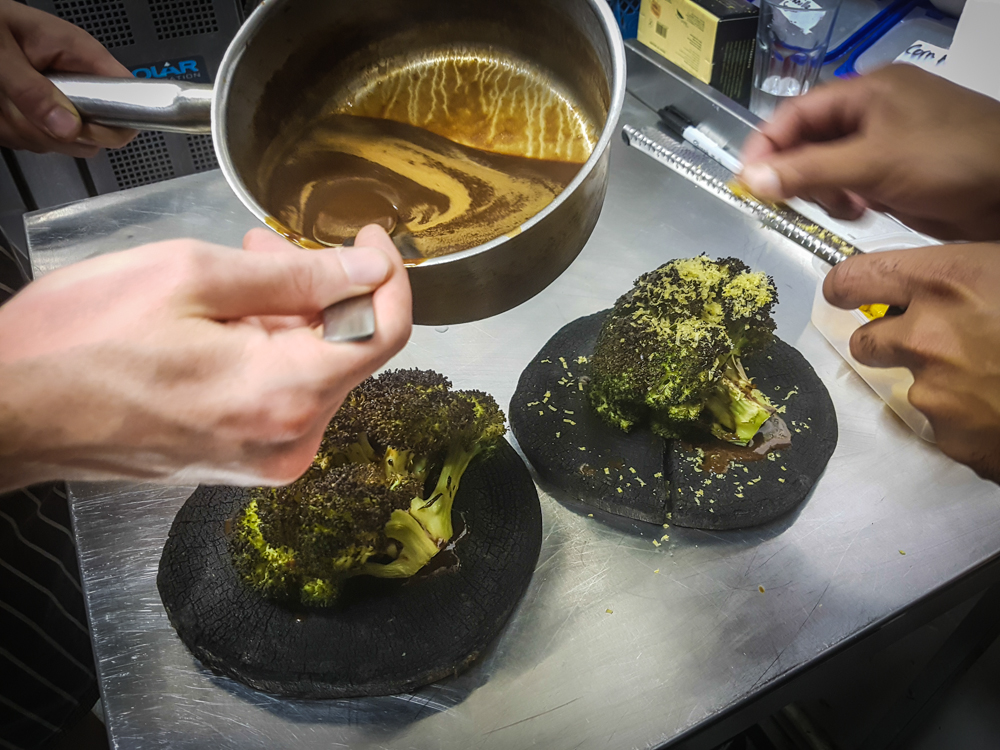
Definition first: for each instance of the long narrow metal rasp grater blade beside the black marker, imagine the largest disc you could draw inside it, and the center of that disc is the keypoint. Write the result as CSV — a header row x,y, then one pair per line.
x,y
708,174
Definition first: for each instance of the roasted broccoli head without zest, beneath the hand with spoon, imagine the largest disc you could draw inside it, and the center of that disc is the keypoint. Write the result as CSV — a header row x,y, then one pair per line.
x,y
377,499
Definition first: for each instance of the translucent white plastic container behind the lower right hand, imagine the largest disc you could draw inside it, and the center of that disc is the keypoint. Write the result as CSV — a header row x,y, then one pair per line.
x,y
893,383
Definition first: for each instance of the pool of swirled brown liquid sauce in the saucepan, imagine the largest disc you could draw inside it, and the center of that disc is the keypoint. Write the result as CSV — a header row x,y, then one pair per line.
x,y
345,172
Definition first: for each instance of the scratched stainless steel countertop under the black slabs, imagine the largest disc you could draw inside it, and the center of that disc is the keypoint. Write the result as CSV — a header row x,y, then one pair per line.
x,y
680,646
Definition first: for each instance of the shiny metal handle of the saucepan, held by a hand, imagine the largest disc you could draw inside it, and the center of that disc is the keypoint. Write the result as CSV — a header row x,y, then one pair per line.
x,y
173,106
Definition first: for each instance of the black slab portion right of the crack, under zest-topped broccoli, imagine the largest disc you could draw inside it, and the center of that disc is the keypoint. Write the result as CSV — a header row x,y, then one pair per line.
x,y
737,499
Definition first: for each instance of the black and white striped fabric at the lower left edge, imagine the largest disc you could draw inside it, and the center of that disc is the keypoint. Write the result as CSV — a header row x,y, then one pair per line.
x,y
47,679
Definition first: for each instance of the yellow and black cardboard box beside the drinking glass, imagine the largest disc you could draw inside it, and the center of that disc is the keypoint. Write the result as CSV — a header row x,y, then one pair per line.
x,y
713,40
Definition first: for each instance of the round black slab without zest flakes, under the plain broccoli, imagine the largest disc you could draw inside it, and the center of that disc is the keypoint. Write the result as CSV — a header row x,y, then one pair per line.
x,y
441,622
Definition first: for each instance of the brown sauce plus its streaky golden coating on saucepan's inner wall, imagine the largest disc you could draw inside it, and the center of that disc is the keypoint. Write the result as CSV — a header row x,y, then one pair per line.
x,y
455,147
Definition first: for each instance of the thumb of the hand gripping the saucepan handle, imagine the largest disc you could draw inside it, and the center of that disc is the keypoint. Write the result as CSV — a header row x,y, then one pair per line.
x,y
41,103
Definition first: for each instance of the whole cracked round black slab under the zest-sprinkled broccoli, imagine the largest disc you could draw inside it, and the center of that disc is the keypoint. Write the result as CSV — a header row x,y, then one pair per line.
x,y
787,378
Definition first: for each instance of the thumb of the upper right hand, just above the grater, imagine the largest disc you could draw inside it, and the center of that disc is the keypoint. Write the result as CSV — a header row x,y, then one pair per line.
x,y
844,164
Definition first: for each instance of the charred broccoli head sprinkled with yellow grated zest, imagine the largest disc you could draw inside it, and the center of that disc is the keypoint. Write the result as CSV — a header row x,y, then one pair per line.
x,y
668,355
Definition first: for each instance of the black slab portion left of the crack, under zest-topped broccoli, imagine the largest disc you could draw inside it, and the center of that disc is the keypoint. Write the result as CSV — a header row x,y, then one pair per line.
x,y
559,460
